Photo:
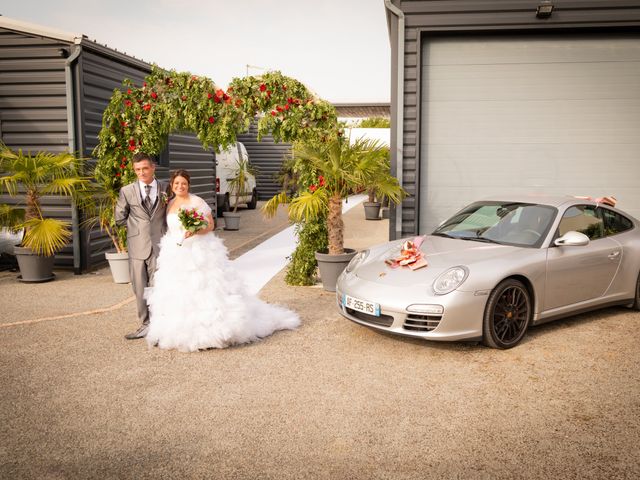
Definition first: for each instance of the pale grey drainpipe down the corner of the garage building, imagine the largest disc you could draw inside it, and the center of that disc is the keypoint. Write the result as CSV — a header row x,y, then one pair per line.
x,y
399,109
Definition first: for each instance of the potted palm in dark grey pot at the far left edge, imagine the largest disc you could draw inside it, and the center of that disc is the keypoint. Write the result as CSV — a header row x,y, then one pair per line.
x,y
28,178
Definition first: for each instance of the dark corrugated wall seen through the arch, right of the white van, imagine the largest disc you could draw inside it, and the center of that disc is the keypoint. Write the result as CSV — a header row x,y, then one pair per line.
x,y
267,156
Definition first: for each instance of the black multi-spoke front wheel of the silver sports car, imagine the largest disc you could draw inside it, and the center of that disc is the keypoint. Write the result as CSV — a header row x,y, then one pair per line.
x,y
507,314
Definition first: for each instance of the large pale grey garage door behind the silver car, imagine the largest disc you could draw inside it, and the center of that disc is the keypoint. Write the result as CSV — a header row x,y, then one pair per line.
x,y
514,114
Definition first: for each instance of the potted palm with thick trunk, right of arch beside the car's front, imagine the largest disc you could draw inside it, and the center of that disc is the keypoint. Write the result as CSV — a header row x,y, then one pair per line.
x,y
341,168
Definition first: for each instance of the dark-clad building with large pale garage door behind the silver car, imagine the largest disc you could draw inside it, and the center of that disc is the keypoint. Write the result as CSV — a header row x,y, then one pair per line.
x,y
500,97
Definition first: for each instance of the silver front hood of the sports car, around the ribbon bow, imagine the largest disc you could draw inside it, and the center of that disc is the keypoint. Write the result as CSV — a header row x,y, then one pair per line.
x,y
440,253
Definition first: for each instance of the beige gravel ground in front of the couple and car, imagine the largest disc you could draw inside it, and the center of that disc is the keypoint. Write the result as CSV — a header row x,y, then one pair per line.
x,y
330,400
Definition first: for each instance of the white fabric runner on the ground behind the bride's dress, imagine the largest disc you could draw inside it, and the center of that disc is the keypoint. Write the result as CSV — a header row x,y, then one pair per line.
x,y
263,262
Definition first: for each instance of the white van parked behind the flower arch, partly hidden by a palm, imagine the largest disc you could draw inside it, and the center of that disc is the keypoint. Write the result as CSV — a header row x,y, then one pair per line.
x,y
226,164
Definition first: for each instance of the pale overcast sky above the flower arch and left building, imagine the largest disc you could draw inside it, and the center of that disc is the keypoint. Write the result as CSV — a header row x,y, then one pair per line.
x,y
338,48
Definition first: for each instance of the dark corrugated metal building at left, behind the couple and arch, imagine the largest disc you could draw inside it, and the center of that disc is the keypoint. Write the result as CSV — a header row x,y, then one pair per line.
x,y
53,89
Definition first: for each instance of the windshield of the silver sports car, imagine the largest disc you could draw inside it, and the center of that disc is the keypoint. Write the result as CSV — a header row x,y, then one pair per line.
x,y
520,224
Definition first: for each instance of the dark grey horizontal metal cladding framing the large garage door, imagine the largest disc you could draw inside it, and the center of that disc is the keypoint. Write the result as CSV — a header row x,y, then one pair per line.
x,y
424,18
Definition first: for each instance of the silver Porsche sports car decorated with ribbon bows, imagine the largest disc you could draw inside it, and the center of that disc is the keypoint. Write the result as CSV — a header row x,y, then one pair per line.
x,y
496,267
